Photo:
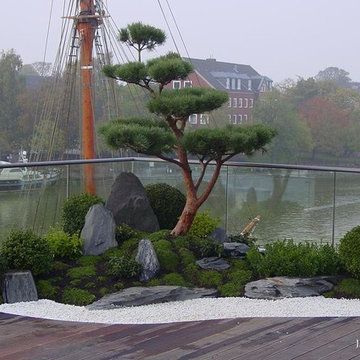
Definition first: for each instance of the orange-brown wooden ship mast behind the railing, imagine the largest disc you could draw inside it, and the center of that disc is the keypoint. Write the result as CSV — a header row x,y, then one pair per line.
x,y
87,24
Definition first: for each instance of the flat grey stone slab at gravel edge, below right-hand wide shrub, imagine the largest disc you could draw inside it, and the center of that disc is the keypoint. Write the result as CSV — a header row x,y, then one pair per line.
x,y
286,287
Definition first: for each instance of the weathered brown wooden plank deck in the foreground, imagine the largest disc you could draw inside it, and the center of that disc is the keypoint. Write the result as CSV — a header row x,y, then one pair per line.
x,y
23,338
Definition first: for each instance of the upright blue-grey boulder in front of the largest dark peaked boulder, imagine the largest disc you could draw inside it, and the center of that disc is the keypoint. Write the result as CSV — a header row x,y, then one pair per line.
x,y
98,232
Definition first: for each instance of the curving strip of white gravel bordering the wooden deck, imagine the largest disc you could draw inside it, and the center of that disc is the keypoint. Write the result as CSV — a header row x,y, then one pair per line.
x,y
199,309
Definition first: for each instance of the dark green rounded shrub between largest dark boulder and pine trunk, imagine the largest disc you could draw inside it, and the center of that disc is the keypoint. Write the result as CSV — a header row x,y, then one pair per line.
x,y
167,203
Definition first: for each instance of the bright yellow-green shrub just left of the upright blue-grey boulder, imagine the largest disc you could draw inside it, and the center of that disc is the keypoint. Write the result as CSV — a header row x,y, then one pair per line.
x,y
64,245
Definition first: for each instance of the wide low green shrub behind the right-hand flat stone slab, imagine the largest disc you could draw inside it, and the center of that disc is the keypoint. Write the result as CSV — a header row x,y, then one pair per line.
x,y
289,259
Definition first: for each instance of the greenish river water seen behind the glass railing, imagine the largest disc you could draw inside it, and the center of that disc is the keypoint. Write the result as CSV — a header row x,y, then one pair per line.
x,y
304,213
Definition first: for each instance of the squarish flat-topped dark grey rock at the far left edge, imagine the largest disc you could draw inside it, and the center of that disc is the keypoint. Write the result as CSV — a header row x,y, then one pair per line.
x,y
19,286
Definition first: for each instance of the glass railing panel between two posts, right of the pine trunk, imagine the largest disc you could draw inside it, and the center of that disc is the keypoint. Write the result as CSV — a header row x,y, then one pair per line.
x,y
293,204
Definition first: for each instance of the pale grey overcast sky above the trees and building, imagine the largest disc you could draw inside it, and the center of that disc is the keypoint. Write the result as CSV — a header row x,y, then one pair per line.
x,y
278,38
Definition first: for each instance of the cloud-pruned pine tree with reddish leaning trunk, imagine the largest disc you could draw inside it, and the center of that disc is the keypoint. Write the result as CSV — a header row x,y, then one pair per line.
x,y
164,135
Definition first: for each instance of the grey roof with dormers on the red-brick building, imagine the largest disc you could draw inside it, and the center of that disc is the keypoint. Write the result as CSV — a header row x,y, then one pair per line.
x,y
217,73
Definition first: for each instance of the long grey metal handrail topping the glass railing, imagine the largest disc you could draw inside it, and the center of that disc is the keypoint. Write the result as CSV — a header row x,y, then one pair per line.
x,y
228,163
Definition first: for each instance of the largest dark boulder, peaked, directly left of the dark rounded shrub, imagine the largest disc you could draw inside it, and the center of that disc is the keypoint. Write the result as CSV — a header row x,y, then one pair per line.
x,y
129,204
